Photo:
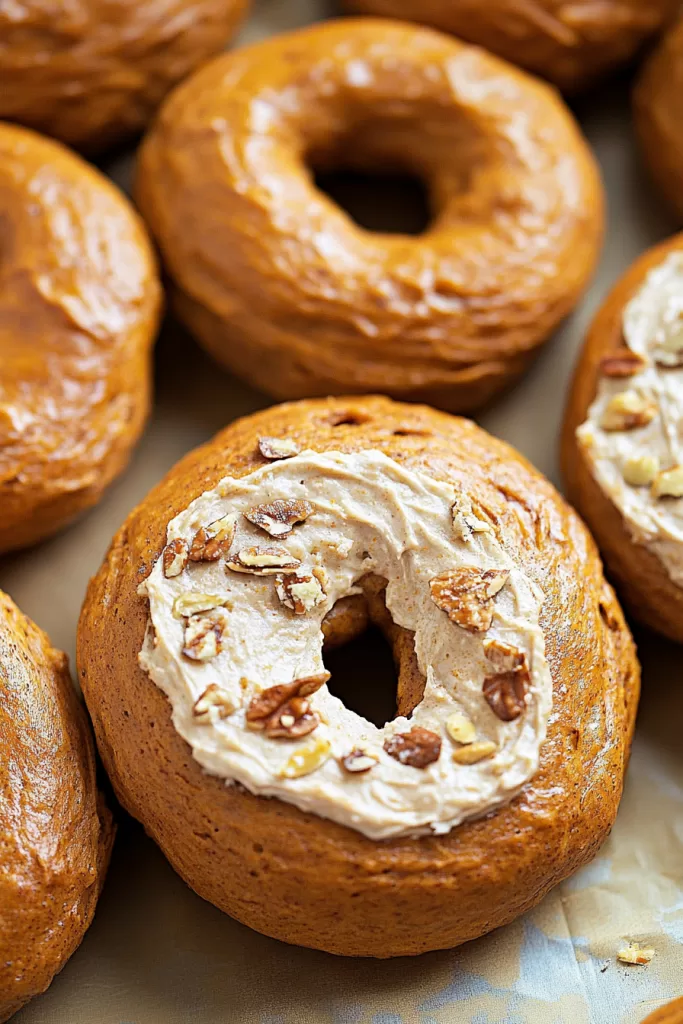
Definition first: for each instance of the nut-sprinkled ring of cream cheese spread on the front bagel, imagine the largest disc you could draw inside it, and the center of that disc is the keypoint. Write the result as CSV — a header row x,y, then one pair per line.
x,y
350,516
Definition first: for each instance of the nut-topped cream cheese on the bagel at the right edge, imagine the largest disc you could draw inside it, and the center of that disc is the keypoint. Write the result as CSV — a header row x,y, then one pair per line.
x,y
633,436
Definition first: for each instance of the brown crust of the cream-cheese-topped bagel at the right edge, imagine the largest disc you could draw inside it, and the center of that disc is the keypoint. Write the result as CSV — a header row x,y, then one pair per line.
x,y
642,579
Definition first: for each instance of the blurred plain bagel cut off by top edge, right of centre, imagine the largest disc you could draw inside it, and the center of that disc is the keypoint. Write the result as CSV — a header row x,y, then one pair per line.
x,y
570,42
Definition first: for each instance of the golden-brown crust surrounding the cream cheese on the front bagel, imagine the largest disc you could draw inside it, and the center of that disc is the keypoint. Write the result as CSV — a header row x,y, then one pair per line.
x,y
307,880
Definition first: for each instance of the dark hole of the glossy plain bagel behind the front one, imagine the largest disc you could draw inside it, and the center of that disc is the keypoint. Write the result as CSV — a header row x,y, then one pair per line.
x,y
378,202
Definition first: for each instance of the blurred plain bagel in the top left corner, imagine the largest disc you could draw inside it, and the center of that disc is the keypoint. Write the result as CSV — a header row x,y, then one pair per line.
x,y
93,73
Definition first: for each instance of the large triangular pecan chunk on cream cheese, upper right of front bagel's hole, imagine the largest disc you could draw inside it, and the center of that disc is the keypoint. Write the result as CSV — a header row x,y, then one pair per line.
x,y
467,595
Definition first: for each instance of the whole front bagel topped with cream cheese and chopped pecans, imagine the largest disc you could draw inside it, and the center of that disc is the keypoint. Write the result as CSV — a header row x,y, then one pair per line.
x,y
388,854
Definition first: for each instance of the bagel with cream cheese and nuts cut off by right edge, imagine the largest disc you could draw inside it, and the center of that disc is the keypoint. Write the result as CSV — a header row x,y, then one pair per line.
x,y
619,445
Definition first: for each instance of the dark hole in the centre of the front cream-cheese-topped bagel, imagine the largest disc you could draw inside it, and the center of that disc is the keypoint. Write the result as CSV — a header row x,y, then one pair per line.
x,y
364,676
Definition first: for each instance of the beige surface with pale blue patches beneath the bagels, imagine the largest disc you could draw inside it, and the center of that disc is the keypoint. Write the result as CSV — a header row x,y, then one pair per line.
x,y
158,955
